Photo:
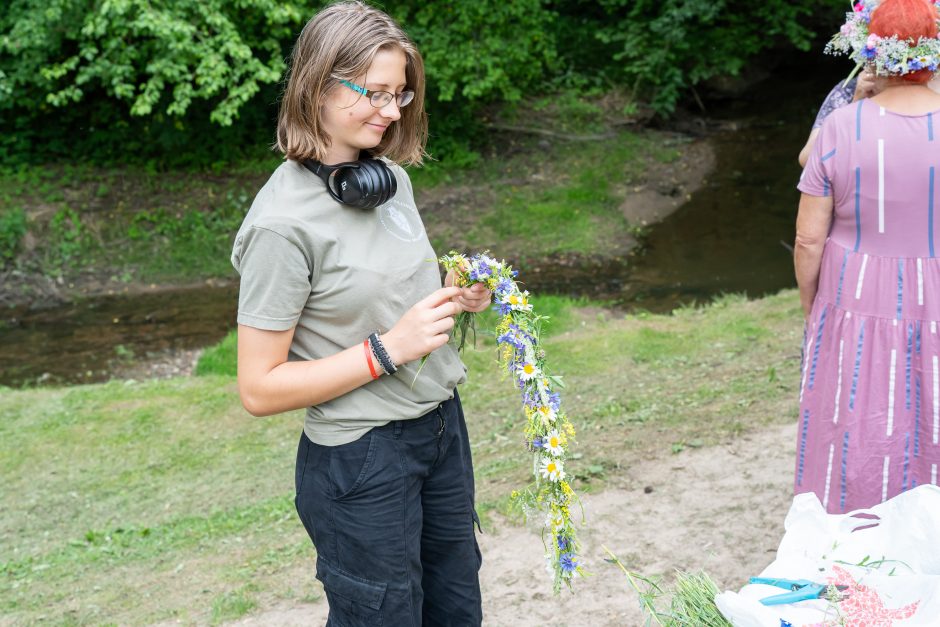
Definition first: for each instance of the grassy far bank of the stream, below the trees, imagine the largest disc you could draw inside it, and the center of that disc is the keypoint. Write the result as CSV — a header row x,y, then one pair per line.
x,y
89,232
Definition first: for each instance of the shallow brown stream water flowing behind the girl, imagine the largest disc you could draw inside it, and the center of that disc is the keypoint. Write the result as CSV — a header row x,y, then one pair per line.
x,y
730,237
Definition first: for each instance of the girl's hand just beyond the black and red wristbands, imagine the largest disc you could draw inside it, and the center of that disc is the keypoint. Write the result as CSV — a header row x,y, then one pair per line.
x,y
424,328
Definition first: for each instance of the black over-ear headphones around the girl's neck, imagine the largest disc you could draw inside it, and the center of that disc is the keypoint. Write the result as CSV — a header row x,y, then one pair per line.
x,y
366,183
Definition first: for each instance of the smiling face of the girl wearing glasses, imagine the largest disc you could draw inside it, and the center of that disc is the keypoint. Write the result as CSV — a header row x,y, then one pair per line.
x,y
352,123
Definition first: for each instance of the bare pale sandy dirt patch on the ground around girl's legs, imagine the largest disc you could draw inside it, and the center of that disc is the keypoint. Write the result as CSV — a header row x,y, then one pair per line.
x,y
720,509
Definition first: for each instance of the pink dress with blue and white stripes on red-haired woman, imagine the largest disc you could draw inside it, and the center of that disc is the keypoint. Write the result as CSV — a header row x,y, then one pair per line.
x,y
869,422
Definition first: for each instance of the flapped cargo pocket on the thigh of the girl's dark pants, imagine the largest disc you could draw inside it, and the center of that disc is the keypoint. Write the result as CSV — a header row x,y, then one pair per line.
x,y
354,601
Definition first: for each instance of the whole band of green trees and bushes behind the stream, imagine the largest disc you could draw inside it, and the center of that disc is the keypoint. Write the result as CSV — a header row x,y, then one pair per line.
x,y
195,82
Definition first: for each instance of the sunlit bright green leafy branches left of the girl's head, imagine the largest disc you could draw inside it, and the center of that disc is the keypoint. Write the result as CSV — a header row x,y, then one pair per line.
x,y
153,56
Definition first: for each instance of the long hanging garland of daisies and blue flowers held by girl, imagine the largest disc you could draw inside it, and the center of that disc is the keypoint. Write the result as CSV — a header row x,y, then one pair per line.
x,y
548,433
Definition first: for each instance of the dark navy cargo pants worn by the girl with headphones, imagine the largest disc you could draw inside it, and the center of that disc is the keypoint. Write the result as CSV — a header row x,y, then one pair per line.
x,y
392,518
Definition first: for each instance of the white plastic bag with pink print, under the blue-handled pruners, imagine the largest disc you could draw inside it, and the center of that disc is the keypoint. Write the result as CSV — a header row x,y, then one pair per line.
x,y
889,556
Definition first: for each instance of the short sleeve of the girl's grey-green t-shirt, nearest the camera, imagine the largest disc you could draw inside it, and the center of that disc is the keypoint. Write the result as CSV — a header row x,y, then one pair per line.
x,y
275,280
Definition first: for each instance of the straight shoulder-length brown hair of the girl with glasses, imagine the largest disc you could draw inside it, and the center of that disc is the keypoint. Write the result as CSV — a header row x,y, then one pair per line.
x,y
340,43
